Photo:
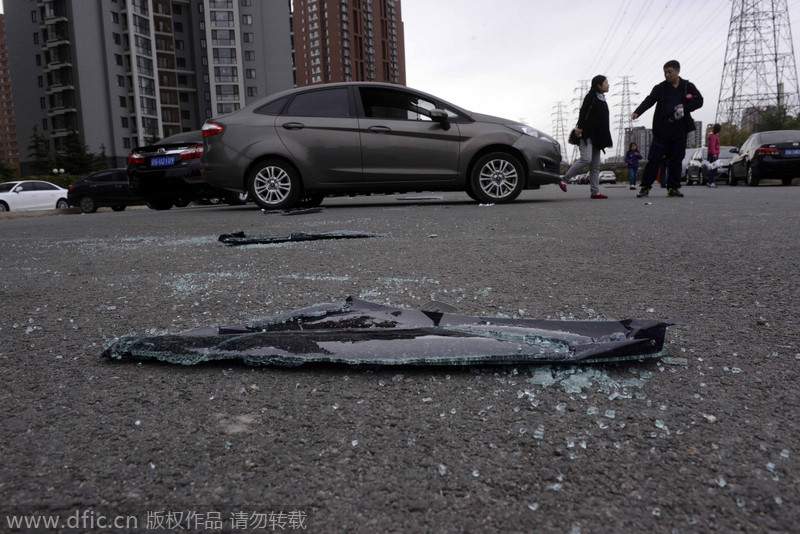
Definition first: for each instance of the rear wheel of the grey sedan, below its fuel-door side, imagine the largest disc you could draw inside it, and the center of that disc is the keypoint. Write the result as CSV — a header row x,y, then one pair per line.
x,y
274,185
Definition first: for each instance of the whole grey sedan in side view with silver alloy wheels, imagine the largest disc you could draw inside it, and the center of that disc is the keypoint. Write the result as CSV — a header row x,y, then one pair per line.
x,y
296,147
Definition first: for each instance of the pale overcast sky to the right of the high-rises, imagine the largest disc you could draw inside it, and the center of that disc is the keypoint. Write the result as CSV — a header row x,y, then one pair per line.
x,y
518,59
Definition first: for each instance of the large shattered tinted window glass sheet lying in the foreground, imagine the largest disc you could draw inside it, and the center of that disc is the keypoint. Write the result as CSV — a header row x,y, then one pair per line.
x,y
359,332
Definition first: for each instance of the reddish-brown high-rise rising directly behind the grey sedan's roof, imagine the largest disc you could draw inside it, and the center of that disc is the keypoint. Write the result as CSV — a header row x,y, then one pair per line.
x,y
348,40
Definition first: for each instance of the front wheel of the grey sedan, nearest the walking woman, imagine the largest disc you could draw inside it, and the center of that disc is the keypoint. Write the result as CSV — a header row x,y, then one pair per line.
x,y
497,178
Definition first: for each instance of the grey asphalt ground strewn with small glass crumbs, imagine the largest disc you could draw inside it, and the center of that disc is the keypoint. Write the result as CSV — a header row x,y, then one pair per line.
x,y
703,440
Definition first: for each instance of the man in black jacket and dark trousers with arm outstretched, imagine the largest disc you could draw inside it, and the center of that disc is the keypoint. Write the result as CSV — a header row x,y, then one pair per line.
x,y
675,99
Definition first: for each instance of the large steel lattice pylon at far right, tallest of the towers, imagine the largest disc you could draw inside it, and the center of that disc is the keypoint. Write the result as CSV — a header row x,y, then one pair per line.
x,y
760,70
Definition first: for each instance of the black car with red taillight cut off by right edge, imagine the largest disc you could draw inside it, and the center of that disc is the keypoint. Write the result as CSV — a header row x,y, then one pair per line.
x,y
764,155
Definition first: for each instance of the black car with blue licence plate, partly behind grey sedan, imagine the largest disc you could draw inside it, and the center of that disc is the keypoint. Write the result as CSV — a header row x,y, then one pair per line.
x,y
167,174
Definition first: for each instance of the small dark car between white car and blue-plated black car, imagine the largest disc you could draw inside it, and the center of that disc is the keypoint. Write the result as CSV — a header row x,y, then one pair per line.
x,y
107,188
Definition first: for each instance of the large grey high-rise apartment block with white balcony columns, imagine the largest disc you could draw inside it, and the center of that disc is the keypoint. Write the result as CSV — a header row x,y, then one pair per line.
x,y
123,73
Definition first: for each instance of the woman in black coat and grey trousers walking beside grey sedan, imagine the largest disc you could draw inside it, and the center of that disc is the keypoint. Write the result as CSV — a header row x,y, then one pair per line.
x,y
594,132
